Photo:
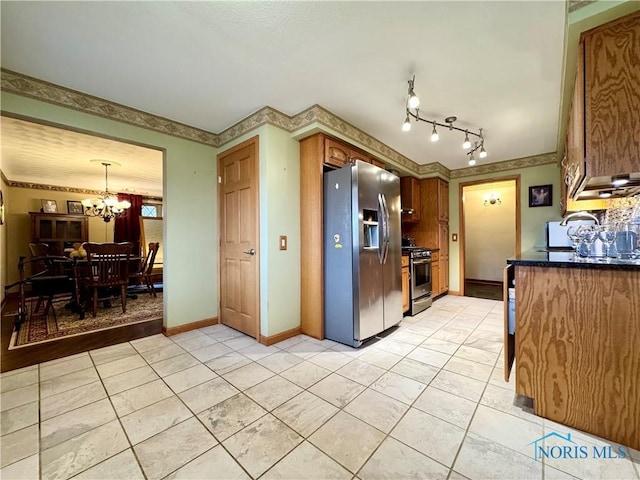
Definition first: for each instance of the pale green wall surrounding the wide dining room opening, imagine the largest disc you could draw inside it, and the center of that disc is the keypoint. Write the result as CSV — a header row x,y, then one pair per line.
x,y
190,203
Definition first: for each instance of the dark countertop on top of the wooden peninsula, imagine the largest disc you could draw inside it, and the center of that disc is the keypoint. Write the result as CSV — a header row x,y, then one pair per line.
x,y
541,257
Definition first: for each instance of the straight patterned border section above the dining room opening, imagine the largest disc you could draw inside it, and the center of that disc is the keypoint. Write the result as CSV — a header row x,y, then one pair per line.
x,y
48,92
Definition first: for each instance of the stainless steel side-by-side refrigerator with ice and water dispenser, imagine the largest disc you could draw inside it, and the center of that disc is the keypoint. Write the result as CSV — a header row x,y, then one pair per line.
x,y
362,253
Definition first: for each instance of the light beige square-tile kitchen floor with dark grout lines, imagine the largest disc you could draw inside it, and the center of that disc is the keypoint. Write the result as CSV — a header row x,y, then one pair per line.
x,y
426,401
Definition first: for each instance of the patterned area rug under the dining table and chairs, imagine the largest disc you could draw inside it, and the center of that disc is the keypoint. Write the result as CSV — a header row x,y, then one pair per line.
x,y
38,329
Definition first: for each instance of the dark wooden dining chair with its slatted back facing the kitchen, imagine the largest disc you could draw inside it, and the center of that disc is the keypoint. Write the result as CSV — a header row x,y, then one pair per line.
x,y
107,269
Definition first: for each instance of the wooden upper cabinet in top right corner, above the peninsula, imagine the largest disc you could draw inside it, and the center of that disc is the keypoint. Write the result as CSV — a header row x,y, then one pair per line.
x,y
604,124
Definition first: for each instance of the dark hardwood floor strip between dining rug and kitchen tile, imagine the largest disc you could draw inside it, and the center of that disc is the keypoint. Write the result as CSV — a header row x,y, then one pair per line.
x,y
32,354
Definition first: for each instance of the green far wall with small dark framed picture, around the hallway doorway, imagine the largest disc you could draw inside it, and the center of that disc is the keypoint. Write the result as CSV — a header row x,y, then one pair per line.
x,y
532,219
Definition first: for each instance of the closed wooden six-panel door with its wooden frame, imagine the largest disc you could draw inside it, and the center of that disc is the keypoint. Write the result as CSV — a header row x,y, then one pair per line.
x,y
239,235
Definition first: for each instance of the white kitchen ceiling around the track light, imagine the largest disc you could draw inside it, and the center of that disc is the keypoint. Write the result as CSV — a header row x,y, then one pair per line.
x,y
495,65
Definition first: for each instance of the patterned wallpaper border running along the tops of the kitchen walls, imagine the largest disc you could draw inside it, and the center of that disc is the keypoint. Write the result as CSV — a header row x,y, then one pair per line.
x,y
48,92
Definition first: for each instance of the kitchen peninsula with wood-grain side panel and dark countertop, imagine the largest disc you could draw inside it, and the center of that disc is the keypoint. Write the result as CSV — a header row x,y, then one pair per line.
x,y
577,341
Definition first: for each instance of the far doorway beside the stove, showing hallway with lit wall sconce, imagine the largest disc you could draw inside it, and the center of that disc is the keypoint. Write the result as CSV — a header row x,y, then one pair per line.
x,y
490,233
